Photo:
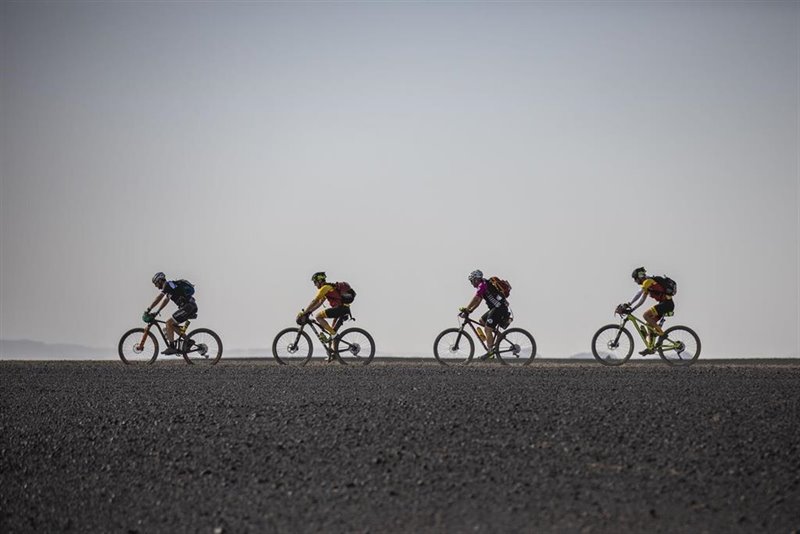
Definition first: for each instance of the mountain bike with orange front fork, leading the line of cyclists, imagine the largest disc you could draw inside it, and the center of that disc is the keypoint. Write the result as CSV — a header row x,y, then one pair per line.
x,y
200,346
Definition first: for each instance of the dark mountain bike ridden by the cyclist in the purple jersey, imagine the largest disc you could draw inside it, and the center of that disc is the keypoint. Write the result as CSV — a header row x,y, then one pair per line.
x,y
454,346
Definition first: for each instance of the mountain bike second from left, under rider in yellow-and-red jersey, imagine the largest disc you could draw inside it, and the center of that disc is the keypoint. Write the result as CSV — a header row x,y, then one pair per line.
x,y
293,346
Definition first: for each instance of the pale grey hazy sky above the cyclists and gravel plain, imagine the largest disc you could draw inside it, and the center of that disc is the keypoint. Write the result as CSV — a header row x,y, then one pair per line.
x,y
399,146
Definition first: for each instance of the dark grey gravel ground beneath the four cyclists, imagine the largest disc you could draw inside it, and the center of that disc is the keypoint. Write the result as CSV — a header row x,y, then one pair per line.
x,y
399,447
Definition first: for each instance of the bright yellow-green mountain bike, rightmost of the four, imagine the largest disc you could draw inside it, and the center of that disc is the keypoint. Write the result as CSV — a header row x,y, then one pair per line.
x,y
613,343
